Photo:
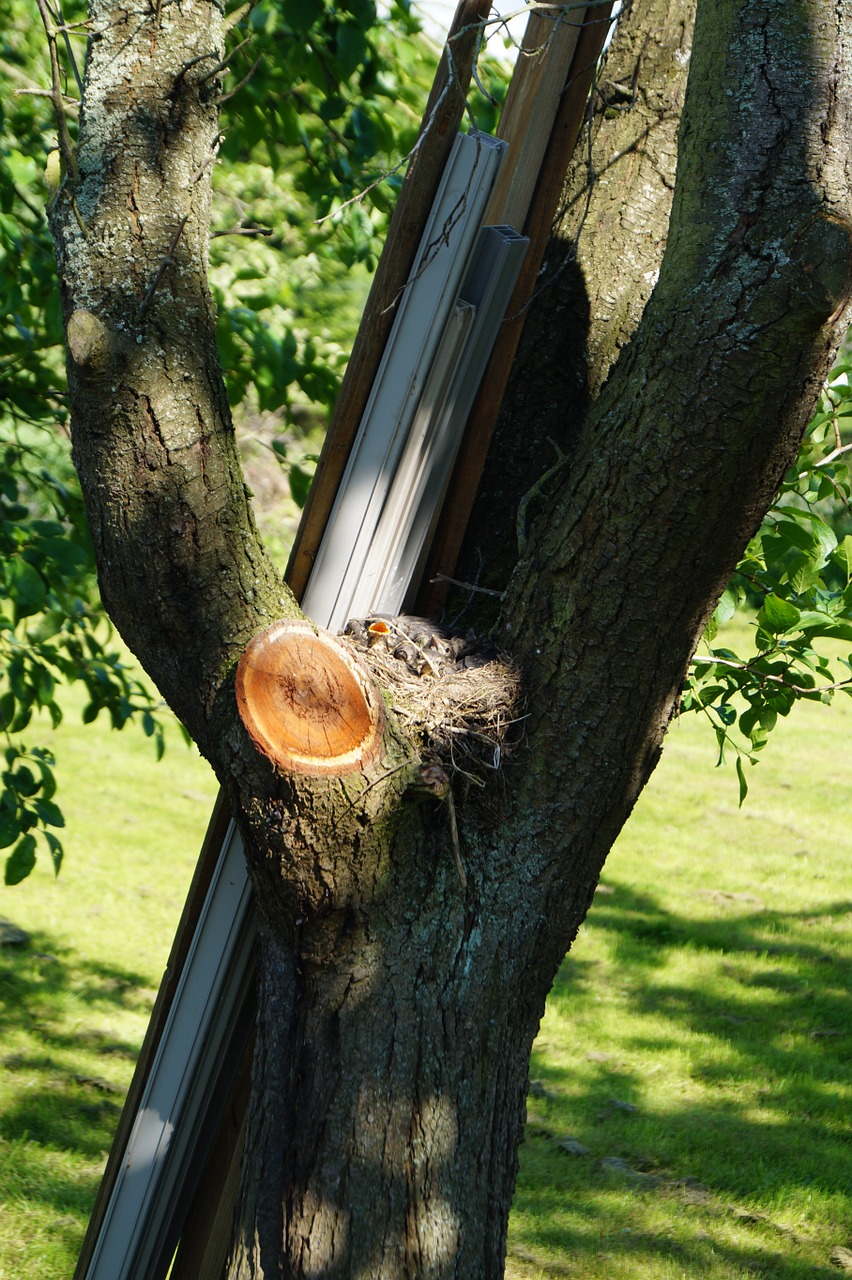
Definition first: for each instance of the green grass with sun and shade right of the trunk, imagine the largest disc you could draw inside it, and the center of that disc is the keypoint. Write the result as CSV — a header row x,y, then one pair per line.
x,y
709,991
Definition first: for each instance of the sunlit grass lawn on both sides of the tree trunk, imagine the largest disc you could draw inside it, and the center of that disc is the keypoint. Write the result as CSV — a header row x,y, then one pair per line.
x,y
691,1095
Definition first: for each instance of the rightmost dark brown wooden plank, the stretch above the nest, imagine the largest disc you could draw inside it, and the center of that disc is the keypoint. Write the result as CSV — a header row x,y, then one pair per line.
x,y
538,225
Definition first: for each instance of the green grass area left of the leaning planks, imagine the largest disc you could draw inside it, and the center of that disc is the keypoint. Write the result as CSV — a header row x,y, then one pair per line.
x,y
76,1000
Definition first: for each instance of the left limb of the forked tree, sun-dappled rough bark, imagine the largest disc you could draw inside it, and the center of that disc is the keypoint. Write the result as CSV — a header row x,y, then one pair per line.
x,y
154,440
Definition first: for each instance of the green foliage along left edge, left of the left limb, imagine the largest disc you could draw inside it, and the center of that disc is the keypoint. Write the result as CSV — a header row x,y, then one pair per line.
x,y
53,629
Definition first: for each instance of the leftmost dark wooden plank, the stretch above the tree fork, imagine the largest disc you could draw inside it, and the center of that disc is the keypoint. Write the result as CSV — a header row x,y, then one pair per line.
x,y
438,134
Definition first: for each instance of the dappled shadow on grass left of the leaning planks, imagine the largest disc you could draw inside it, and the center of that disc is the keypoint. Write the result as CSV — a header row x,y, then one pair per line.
x,y
63,1082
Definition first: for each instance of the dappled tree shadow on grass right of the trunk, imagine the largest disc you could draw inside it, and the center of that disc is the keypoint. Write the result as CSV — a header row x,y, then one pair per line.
x,y
722,1103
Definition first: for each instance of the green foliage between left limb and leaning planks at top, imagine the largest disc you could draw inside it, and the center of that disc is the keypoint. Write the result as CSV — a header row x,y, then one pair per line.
x,y
327,103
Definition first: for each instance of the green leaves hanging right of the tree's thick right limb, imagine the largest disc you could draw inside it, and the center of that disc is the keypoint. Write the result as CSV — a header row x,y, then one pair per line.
x,y
798,575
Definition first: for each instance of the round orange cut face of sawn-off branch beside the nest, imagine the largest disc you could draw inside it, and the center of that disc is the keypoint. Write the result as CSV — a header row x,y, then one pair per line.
x,y
306,701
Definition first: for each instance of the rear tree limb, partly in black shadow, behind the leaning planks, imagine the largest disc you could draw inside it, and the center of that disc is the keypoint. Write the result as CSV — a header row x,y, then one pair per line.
x,y
602,264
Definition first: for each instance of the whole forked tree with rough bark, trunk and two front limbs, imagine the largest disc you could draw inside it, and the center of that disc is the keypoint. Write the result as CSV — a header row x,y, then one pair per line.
x,y
398,1000
